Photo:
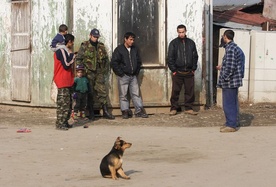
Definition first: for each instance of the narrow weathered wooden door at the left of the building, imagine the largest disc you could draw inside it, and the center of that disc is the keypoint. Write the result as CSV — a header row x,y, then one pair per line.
x,y
20,51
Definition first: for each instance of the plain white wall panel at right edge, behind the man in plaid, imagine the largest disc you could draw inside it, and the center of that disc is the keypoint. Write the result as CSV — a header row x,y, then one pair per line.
x,y
262,87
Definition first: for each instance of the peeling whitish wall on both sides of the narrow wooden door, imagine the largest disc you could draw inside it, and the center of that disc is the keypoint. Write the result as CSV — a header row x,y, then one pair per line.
x,y
45,17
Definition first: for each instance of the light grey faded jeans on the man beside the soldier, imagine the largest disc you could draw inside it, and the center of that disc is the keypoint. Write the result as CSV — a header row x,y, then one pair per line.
x,y
130,83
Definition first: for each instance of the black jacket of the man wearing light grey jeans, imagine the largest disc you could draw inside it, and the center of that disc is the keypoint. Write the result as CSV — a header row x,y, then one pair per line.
x,y
124,62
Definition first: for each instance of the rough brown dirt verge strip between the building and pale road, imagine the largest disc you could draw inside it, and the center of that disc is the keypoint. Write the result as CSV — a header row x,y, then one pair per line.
x,y
250,115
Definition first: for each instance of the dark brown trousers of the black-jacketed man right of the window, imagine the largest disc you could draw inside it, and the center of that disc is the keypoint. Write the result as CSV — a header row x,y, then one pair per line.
x,y
178,80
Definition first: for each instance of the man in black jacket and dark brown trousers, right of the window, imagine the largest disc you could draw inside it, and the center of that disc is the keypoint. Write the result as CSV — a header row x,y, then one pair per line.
x,y
182,61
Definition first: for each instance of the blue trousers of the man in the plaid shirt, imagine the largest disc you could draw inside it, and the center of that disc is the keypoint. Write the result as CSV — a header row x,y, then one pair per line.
x,y
230,106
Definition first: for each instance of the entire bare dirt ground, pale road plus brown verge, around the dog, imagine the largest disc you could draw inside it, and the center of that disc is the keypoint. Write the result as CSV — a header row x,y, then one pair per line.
x,y
167,151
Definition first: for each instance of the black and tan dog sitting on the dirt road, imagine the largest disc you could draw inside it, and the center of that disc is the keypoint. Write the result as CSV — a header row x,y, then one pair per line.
x,y
111,164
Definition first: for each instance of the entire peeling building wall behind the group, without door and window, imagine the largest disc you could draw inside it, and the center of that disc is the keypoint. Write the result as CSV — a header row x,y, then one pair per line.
x,y
46,16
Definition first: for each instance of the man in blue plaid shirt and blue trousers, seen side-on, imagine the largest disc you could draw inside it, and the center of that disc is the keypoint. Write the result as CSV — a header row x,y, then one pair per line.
x,y
230,79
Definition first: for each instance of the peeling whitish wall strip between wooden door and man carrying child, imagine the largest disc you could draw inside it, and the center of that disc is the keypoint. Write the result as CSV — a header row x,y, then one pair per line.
x,y
46,17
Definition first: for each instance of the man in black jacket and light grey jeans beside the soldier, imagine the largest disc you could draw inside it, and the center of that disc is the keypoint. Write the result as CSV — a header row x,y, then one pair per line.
x,y
126,64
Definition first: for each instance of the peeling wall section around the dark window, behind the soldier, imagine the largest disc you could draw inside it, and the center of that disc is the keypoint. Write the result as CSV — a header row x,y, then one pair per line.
x,y
156,79
